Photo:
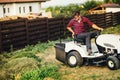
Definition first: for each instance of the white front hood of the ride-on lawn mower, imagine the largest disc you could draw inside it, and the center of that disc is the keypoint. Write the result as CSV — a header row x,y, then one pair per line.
x,y
109,41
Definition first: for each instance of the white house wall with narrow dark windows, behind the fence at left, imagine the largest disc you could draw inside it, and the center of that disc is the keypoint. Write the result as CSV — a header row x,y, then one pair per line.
x,y
19,9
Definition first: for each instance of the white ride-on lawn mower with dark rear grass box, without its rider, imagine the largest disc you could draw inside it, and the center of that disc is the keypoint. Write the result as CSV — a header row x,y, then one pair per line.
x,y
106,50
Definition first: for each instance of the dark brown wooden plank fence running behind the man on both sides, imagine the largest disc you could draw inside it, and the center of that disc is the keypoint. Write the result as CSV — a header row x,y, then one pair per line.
x,y
21,32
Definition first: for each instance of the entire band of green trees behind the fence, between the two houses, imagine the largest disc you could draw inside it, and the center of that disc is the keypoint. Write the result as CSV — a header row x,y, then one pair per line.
x,y
66,11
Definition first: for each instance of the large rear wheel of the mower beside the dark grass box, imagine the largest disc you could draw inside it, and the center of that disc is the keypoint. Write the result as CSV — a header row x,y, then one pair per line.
x,y
74,59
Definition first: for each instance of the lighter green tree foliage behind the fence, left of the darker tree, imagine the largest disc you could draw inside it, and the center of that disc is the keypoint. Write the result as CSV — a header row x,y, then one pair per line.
x,y
66,11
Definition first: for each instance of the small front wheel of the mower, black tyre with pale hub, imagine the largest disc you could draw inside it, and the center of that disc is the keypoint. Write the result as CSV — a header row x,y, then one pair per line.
x,y
113,63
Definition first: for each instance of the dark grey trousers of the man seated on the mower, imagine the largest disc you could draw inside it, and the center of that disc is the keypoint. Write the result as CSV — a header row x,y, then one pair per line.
x,y
85,38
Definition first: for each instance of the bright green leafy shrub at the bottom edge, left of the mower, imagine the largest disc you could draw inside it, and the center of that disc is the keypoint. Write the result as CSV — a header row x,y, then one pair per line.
x,y
46,71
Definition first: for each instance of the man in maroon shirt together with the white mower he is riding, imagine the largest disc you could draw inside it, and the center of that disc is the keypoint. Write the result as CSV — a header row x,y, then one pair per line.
x,y
106,48
